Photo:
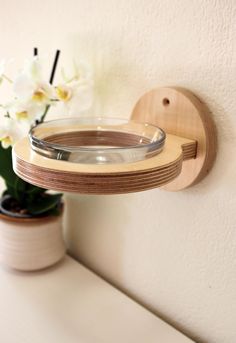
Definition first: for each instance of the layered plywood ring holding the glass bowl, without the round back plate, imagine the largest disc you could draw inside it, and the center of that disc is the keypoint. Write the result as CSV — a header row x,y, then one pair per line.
x,y
103,179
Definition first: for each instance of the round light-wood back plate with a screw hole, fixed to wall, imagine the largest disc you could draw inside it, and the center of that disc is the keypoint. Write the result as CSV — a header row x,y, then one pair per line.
x,y
178,111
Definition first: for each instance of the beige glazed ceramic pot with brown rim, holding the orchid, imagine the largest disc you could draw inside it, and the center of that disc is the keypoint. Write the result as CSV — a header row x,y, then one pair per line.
x,y
29,244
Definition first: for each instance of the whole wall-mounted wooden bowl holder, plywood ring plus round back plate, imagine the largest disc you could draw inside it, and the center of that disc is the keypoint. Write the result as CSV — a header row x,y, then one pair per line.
x,y
186,158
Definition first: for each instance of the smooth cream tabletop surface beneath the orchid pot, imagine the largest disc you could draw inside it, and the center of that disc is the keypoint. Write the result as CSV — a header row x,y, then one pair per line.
x,y
70,304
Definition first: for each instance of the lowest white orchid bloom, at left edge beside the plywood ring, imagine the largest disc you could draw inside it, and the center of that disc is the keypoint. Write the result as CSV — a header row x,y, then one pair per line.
x,y
11,131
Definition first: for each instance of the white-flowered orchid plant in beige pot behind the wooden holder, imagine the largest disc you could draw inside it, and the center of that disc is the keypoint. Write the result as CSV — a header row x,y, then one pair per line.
x,y
30,217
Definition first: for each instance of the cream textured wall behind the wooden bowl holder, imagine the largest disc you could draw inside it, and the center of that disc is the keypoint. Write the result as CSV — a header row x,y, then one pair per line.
x,y
173,252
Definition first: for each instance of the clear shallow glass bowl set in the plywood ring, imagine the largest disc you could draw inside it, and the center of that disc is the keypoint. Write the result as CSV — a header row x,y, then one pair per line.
x,y
97,140
